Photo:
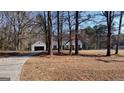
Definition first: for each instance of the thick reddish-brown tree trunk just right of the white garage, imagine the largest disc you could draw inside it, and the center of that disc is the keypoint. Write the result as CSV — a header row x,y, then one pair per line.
x,y
49,34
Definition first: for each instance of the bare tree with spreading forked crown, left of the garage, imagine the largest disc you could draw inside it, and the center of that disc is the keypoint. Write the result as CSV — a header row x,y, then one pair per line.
x,y
19,21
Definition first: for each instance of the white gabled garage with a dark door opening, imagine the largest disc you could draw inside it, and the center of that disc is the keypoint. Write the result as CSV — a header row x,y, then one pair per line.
x,y
38,46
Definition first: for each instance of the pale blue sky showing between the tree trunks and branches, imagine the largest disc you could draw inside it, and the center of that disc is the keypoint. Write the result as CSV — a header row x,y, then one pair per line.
x,y
95,20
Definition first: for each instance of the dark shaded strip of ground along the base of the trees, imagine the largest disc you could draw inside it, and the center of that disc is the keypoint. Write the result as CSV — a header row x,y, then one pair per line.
x,y
43,54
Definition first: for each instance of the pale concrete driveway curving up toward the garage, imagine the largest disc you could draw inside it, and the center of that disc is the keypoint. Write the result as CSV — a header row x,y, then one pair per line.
x,y
10,68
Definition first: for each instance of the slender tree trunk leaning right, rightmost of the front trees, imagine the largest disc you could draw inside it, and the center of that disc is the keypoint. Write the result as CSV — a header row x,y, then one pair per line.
x,y
119,32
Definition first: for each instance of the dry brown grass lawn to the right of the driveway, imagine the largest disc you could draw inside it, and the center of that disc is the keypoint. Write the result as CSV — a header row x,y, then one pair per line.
x,y
89,65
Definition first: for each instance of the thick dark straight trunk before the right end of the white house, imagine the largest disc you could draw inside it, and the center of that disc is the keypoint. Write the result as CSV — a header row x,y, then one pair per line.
x,y
76,33
